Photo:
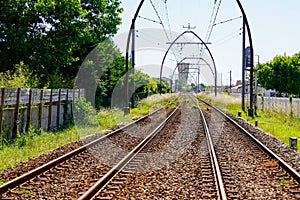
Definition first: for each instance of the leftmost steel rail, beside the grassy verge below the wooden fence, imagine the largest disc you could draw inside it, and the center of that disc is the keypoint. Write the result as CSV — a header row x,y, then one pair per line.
x,y
31,174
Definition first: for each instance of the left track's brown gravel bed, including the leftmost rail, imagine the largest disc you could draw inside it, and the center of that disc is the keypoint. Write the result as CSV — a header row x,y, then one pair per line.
x,y
74,172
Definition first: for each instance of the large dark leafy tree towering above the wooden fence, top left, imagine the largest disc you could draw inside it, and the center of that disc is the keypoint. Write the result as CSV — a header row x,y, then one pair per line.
x,y
53,37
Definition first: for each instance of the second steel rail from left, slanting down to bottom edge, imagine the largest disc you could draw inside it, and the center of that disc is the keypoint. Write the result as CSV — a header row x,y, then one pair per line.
x,y
118,167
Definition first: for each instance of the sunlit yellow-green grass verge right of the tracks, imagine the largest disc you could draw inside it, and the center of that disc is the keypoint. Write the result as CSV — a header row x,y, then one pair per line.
x,y
279,125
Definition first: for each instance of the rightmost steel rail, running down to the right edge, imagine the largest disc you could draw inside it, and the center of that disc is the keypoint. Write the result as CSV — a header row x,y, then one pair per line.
x,y
283,164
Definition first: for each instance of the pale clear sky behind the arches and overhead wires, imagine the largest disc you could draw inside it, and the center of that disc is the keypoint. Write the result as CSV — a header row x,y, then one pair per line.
x,y
274,26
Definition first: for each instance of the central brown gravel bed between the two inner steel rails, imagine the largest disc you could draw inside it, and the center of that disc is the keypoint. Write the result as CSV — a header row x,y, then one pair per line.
x,y
178,163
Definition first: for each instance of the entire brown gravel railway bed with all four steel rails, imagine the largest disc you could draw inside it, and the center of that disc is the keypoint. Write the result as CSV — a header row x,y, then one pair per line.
x,y
192,154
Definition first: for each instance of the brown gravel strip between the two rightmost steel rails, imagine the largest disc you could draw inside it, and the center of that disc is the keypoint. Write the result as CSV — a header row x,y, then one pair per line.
x,y
249,170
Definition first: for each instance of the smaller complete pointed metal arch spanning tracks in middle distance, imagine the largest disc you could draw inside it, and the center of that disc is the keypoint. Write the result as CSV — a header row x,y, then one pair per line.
x,y
186,32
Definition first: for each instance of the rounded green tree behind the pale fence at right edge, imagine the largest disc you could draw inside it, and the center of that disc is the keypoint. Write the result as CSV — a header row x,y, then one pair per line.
x,y
281,74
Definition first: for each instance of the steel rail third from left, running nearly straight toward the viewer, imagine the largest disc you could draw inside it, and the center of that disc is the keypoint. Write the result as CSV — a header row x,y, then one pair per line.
x,y
213,155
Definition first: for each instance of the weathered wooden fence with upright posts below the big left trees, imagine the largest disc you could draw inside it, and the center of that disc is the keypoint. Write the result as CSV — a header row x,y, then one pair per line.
x,y
45,109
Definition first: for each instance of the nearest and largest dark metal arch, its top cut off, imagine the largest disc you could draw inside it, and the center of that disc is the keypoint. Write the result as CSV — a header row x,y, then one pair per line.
x,y
250,43
